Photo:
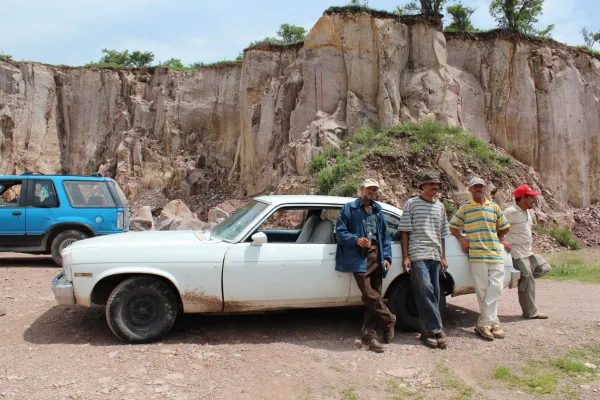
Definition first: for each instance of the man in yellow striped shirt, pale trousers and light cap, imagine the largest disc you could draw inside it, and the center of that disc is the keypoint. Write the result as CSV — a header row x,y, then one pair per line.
x,y
485,227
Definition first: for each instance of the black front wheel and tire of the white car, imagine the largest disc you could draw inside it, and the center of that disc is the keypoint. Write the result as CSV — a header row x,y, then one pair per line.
x,y
141,309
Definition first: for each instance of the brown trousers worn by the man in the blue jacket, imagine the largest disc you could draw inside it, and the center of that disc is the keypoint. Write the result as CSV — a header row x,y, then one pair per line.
x,y
370,283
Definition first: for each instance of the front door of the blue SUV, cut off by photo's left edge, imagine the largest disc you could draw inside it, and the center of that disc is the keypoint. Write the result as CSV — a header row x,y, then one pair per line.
x,y
12,213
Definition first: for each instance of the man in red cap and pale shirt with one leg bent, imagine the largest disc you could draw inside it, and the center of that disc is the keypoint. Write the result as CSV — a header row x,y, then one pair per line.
x,y
520,236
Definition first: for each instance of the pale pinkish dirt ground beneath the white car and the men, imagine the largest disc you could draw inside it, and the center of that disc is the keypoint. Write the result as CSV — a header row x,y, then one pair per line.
x,y
67,352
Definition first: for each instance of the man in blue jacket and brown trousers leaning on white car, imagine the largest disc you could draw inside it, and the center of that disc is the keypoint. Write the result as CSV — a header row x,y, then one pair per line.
x,y
364,249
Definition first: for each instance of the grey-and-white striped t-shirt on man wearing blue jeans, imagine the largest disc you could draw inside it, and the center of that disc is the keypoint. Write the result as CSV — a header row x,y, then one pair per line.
x,y
427,223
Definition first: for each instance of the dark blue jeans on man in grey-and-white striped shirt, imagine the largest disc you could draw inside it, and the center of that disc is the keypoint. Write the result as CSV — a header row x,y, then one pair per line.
x,y
425,279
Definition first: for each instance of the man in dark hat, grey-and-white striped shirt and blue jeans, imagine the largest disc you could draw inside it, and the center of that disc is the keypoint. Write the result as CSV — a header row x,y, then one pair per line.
x,y
424,226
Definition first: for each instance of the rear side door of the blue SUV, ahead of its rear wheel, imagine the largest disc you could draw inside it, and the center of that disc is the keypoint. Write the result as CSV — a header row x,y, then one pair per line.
x,y
42,208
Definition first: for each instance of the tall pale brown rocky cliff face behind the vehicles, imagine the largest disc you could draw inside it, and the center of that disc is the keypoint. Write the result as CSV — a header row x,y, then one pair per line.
x,y
257,121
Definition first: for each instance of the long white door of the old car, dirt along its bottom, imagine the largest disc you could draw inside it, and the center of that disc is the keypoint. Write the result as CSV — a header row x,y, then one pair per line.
x,y
280,275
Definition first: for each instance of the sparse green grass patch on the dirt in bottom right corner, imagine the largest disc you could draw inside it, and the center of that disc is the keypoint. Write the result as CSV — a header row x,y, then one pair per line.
x,y
559,375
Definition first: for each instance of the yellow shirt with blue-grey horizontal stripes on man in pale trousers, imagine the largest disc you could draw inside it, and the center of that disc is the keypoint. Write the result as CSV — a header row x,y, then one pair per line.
x,y
482,223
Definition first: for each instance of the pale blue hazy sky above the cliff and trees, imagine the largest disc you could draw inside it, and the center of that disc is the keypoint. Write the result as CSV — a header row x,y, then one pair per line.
x,y
73,32
